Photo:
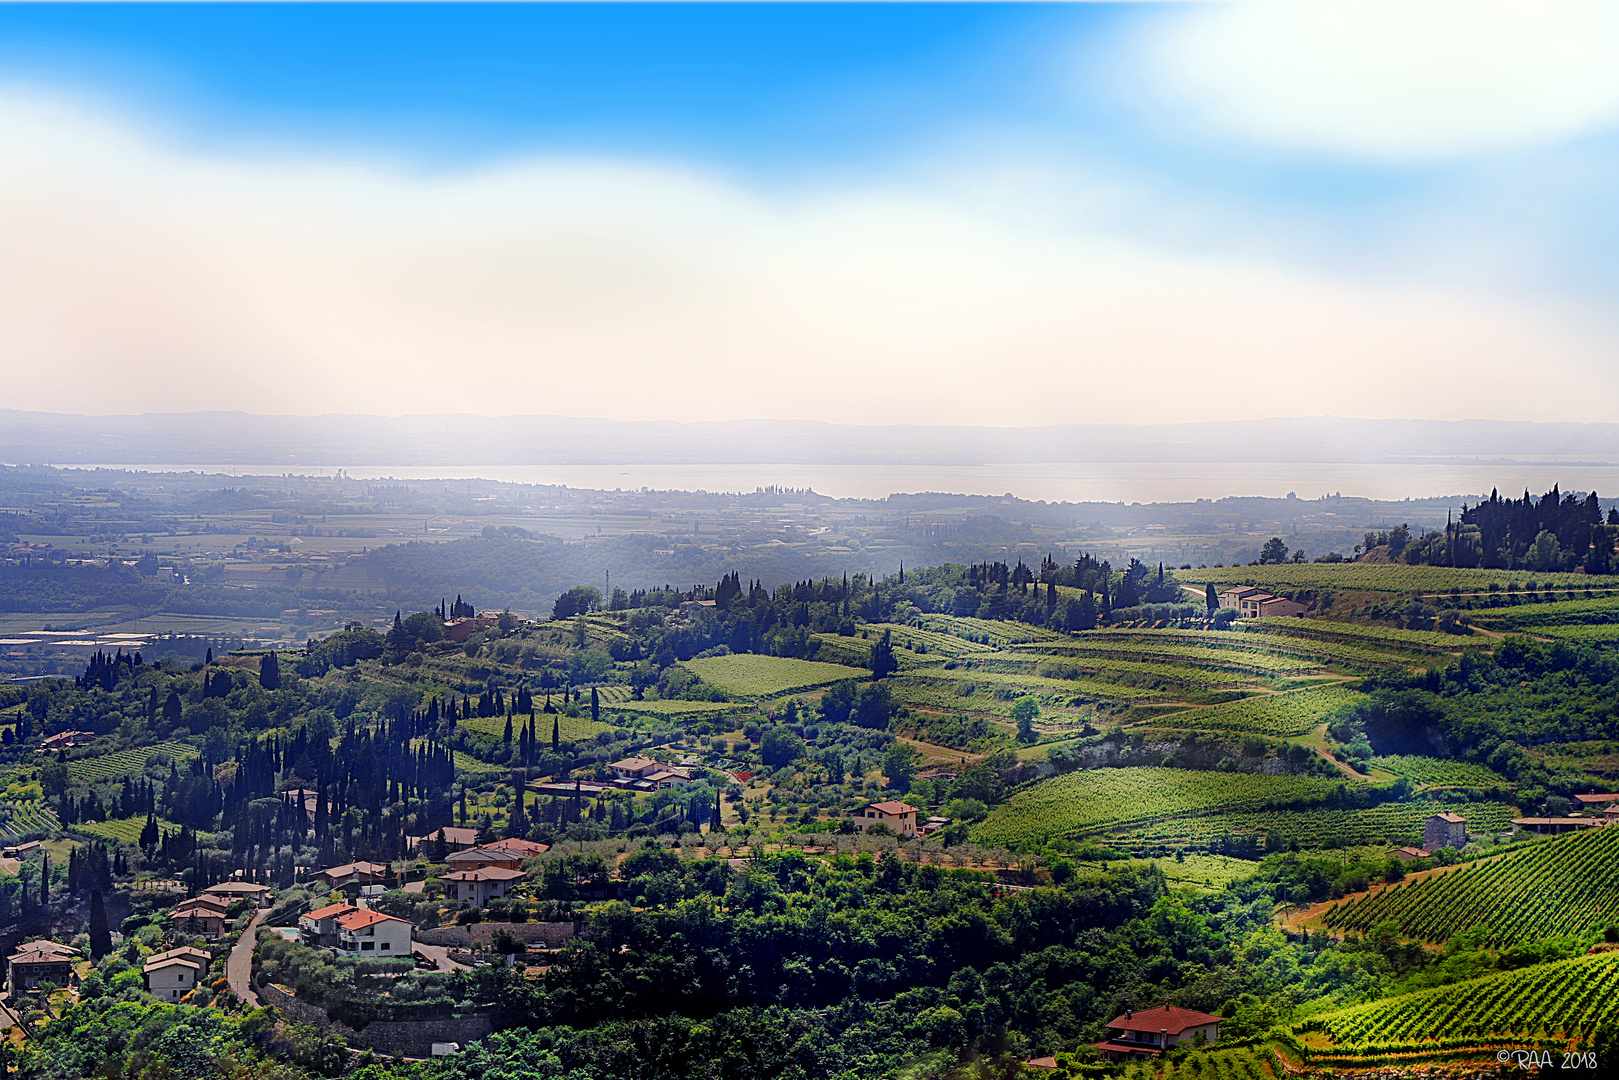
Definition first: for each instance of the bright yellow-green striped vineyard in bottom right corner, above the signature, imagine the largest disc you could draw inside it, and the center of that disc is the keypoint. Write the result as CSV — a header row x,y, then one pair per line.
x,y
1568,1000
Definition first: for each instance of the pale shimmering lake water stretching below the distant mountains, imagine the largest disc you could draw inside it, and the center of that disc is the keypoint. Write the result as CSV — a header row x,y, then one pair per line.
x,y
1056,482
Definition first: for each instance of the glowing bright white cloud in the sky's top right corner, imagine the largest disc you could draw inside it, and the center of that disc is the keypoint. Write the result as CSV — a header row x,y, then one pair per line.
x,y
1390,79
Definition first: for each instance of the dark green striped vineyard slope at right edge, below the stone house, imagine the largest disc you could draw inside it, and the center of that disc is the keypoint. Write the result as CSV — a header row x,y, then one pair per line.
x,y
1565,885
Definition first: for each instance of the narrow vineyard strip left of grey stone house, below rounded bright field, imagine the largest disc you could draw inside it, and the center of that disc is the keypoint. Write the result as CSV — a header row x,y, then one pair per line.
x,y
1383,825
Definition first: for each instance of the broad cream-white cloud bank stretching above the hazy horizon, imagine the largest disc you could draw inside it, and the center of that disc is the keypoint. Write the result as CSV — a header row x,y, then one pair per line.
x,y
138,278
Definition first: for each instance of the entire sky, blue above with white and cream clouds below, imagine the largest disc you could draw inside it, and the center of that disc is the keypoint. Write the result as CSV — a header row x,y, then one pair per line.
x,y
920,215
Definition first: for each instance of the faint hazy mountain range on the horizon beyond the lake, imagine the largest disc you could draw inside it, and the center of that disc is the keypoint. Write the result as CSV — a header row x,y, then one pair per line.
x,y
464,440
